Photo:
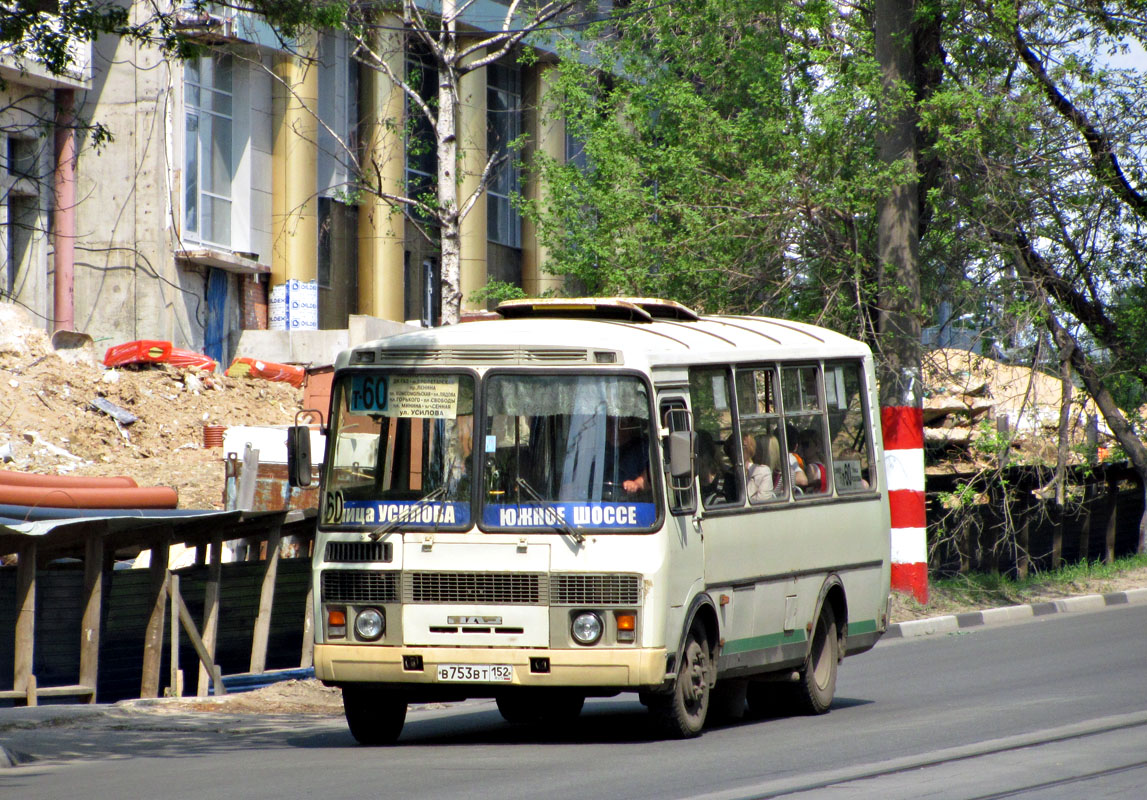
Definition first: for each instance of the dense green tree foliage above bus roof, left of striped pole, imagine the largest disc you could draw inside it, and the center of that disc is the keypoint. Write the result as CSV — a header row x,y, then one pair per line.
x,y
721,164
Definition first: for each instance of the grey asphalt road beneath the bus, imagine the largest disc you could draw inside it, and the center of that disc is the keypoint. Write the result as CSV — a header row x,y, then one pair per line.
x,y
1054,708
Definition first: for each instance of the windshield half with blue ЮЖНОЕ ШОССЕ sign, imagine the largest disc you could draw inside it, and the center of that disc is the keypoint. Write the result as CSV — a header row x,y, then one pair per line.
x,y
569,451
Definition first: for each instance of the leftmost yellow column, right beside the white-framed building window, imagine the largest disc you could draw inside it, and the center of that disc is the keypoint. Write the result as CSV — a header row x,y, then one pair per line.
x,y
295,152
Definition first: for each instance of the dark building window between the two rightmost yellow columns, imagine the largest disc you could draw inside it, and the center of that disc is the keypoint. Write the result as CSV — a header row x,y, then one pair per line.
x,y
504,127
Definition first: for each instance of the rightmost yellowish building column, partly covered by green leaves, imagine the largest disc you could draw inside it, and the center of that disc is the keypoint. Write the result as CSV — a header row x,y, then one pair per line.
x,y
548,139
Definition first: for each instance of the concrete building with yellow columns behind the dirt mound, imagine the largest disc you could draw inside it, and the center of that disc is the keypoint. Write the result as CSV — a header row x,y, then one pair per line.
x,y
235,173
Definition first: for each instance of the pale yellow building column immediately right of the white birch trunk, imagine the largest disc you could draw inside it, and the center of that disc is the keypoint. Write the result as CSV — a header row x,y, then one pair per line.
x,y
472,128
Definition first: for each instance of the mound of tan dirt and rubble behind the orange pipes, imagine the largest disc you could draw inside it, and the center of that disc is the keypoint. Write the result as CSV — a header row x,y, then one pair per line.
x,y
50,425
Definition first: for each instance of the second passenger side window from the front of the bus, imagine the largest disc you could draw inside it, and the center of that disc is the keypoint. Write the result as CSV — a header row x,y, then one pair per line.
x,y
766,478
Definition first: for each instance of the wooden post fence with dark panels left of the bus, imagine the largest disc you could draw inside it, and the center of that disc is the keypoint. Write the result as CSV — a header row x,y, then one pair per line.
x,y
74,626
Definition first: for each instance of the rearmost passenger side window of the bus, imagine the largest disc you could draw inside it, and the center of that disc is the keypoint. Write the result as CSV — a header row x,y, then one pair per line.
x,y
849,433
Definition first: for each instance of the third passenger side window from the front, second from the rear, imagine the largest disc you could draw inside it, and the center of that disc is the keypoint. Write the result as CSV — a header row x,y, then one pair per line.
x,y
810,469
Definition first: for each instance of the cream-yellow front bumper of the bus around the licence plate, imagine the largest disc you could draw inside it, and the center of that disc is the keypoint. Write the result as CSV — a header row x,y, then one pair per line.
x,y
614,669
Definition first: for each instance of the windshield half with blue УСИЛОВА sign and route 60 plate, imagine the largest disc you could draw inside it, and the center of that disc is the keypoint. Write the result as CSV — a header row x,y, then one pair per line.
x,y
401,451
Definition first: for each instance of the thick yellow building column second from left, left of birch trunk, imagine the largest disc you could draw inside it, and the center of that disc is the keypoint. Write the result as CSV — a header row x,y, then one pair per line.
x,y
381,275
